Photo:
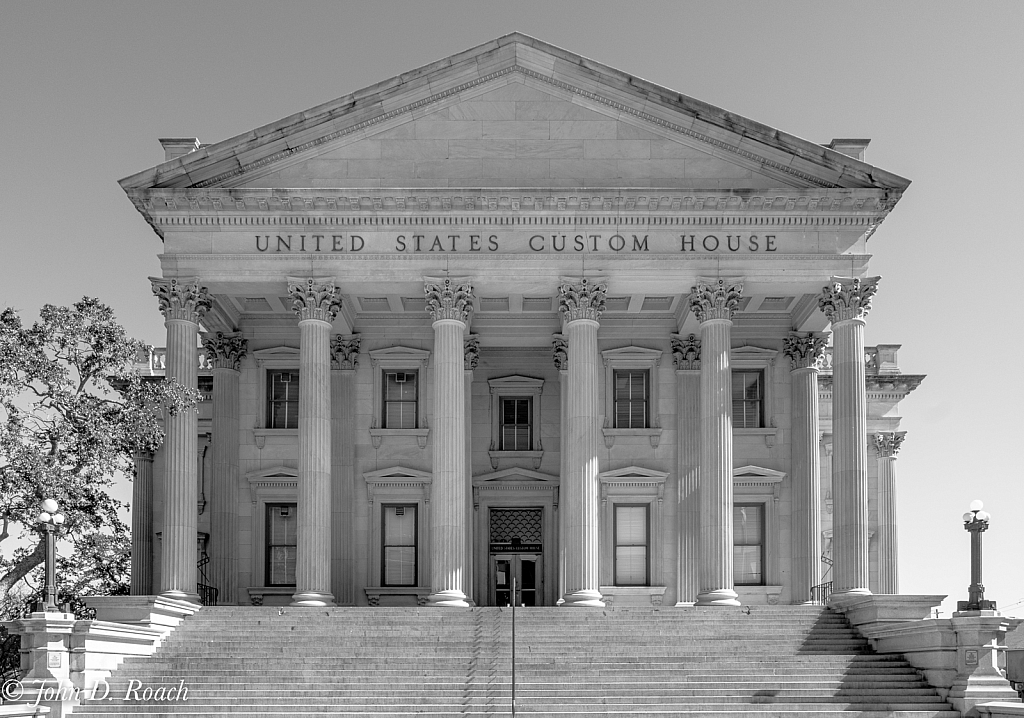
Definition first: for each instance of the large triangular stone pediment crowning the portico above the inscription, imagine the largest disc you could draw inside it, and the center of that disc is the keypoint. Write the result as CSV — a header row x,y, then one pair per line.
x,y
516,112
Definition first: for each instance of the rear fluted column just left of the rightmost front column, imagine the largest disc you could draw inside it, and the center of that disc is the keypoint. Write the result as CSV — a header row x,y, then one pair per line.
x,y
805,351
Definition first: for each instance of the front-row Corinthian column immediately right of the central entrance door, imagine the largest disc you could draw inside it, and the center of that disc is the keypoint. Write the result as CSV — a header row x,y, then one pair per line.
x,y
582,305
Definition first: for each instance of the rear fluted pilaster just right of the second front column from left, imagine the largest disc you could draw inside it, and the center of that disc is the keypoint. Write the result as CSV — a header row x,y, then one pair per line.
x,y
345,359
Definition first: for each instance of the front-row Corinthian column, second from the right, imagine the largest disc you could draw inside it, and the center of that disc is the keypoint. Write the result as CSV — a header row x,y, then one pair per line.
x,y
714,305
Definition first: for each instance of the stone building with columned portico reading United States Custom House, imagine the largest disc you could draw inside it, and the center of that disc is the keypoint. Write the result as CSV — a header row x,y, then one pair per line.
x,y
517,315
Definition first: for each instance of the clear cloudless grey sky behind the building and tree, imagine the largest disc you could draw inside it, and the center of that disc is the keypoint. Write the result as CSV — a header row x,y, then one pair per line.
x,y
87,89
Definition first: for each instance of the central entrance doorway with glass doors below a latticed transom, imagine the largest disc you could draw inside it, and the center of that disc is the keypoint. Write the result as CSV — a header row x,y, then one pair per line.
x,y
517,553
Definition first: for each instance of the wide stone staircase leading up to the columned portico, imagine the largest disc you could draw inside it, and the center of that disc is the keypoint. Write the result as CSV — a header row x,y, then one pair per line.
x,y
741,663
